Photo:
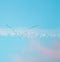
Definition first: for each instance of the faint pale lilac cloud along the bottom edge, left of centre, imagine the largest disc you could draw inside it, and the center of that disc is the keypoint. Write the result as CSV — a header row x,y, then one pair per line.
x,y
18,58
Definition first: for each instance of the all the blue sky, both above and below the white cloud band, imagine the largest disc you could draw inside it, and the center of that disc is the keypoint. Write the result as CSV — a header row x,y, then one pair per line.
x,y
45,14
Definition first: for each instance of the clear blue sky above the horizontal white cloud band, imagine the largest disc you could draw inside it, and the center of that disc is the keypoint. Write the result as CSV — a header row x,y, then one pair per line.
x,y
26,13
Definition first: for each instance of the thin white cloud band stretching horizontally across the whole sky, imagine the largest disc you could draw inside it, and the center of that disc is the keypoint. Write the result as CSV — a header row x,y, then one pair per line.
x,y
29,32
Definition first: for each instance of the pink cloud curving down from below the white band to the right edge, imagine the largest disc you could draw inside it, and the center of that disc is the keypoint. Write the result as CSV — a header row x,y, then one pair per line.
x,y
51,53
